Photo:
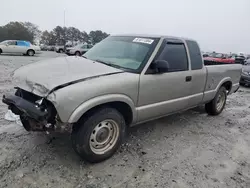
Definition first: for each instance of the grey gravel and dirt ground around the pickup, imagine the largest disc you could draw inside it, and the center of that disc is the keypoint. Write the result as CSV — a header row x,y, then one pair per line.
x,y
190,149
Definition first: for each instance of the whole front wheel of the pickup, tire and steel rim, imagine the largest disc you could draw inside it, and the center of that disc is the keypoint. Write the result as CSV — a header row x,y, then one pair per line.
x,y
98,136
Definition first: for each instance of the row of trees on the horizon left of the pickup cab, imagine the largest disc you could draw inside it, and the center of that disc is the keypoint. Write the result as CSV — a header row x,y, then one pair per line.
x,y
58,36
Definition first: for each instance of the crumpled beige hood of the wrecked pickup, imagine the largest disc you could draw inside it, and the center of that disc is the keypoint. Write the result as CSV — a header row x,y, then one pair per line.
x,y
41,77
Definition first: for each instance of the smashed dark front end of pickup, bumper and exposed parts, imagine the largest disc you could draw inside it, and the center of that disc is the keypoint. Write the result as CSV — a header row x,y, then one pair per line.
x,y
36,113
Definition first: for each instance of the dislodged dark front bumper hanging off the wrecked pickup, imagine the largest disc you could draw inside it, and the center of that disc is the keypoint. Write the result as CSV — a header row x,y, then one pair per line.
x,y
20,106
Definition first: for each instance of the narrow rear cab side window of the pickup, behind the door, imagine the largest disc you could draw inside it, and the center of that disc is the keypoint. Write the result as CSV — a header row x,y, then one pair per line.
x,y
195,55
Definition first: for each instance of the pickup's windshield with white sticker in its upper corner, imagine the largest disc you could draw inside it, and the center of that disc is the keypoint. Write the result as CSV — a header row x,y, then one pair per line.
x,y
123,52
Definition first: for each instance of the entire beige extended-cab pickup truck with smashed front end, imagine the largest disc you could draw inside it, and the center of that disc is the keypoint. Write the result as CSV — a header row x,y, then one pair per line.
x,y
122,81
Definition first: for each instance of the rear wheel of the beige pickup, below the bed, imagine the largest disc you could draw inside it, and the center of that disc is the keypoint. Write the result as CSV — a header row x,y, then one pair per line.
x,y
212,107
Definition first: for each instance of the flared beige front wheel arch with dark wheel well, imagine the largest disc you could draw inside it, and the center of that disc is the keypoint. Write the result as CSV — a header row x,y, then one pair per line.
x,y
122,103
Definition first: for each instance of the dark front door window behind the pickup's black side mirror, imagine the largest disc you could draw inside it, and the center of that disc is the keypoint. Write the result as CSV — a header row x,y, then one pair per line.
x,y
176,56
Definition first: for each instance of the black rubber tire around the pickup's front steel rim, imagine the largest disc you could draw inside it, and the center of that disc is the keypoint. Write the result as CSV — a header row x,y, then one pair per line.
x,y
85,128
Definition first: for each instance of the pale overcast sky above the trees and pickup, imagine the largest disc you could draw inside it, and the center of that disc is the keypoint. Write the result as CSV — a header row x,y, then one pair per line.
x,y
218,25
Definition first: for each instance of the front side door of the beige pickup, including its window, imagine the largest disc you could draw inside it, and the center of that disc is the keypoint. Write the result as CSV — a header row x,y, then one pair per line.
x,y
165,92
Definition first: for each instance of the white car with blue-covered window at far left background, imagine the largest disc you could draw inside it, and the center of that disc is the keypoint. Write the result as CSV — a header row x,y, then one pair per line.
x,y
19,47
